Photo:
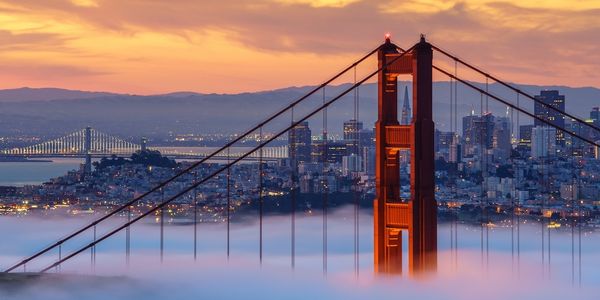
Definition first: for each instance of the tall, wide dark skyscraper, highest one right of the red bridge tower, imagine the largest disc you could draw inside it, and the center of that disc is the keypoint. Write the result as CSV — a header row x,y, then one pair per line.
x,y
553,99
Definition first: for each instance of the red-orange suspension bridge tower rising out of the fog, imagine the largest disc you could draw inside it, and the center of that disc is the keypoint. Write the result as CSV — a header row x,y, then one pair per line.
x,y
392,216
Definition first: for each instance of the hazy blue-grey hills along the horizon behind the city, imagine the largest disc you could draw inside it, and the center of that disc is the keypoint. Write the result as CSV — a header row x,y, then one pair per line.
x,y
54,112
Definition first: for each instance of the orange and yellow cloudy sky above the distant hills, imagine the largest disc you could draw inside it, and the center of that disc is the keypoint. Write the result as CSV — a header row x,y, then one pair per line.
x,y
154,46
